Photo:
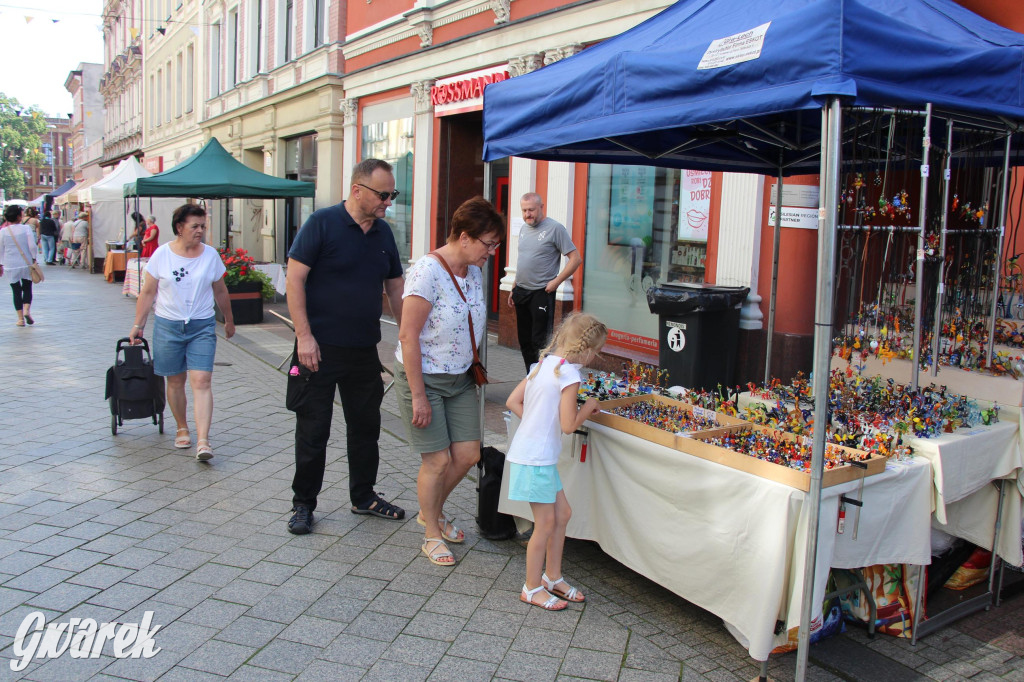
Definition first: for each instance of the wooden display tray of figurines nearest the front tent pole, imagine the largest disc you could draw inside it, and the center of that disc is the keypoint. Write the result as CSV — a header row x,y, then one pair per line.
x,y
695,446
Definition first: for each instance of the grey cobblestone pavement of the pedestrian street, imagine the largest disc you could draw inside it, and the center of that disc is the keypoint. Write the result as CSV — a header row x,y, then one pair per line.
x,y
100,527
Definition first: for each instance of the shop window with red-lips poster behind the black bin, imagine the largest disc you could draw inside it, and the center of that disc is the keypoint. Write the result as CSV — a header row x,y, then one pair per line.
x,y
642,231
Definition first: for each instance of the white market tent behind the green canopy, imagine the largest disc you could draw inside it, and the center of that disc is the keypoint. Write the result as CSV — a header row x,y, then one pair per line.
x,y
112,215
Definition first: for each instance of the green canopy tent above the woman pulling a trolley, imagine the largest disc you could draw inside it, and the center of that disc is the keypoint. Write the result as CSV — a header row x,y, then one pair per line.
x,y
215,174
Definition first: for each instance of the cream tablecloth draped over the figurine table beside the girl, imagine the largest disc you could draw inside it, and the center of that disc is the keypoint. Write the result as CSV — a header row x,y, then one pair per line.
x,y
728,541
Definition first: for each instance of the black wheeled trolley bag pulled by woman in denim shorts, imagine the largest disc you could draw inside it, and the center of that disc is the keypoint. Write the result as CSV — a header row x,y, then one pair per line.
x,y
134,390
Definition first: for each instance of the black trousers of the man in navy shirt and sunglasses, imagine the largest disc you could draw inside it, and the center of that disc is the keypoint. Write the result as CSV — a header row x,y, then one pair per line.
x,y
357,375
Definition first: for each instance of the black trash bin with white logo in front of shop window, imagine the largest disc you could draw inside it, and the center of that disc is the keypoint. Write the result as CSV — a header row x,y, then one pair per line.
x,y
699,330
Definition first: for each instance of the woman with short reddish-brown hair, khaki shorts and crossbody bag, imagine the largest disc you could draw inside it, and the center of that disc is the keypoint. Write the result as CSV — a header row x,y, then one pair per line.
x,y
437,397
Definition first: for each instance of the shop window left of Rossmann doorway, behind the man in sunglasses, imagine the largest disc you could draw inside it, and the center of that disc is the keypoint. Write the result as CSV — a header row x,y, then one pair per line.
x,y
393,141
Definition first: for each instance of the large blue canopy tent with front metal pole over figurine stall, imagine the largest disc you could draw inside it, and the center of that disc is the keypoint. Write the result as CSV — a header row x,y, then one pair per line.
x,y
731,86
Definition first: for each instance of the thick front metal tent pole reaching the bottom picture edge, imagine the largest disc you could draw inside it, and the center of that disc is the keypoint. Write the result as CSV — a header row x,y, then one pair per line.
x,y
832,129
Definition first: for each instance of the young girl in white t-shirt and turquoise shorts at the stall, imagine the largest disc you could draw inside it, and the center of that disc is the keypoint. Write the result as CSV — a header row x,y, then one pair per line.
x,y
546,402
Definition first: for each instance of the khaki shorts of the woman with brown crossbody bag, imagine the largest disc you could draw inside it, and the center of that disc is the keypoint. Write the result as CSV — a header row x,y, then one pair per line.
x,y
455,410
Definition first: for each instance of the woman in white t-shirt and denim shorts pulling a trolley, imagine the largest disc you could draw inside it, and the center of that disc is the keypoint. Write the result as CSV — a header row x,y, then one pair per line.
x,y
184,278
